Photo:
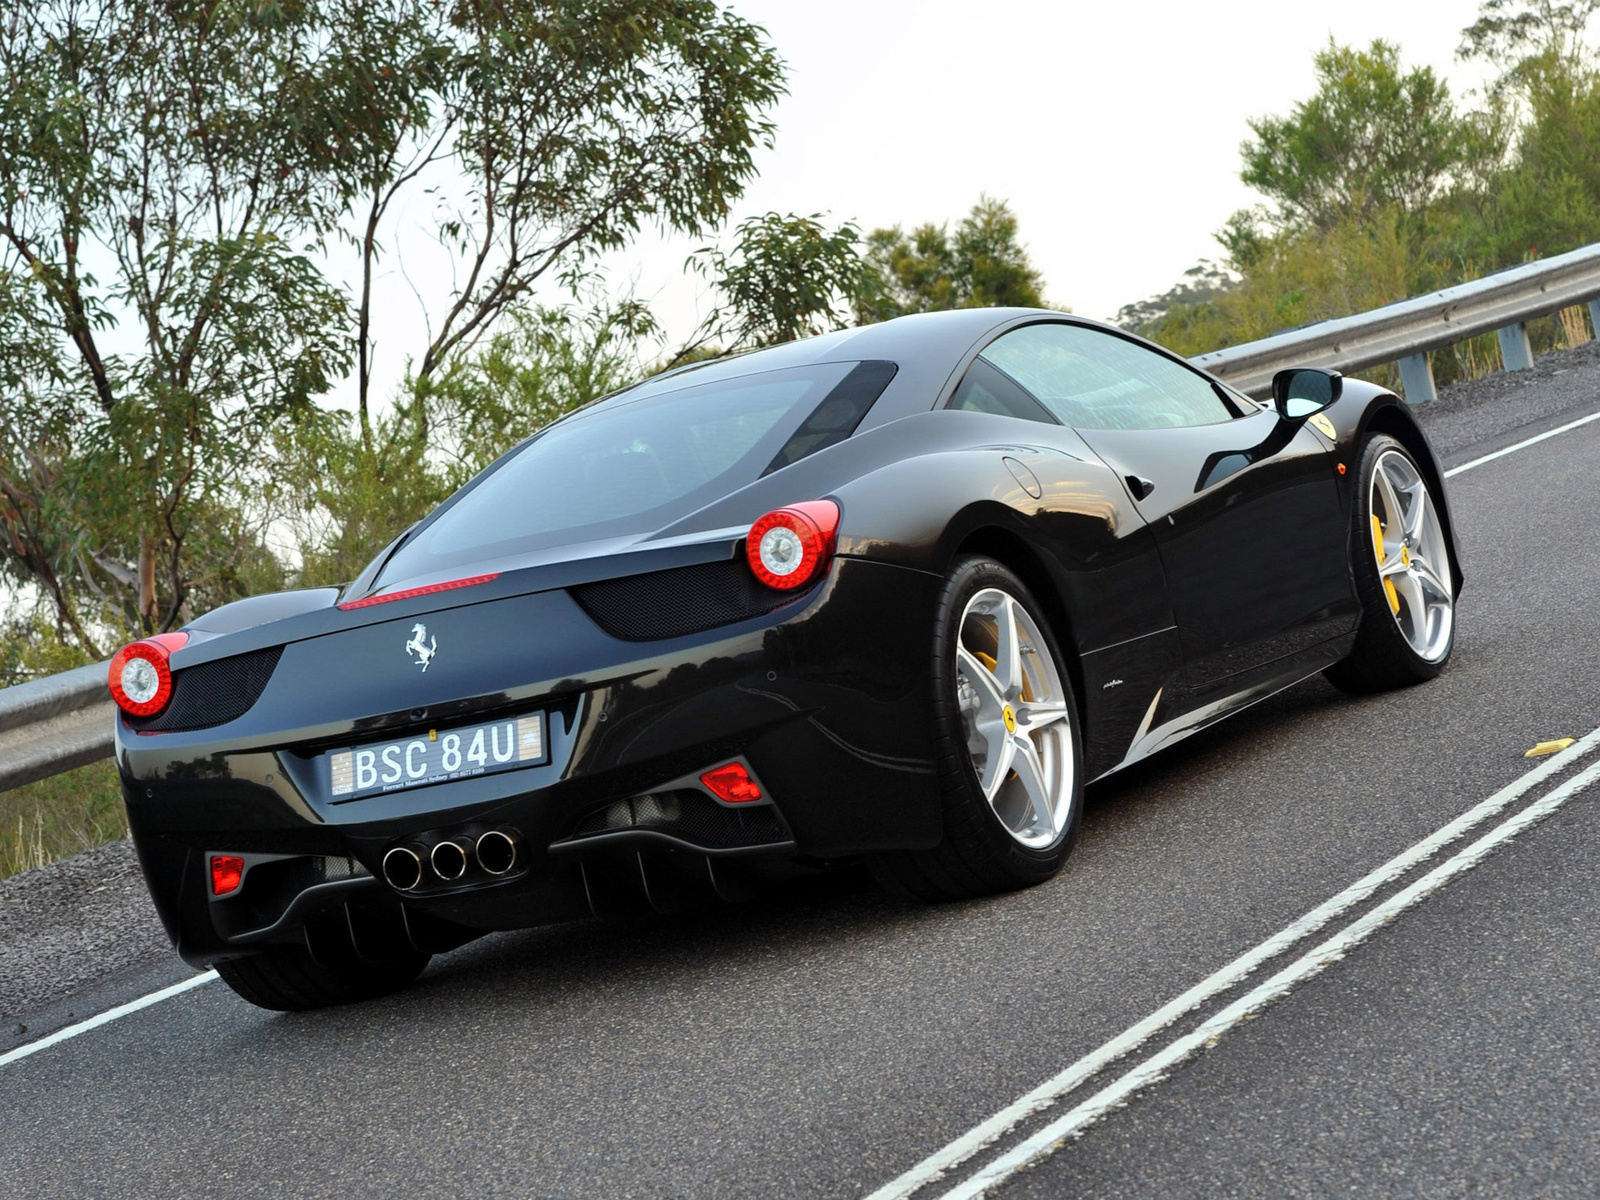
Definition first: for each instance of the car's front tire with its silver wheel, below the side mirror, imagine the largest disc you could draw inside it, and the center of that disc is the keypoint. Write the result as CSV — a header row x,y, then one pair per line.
x,y
1409,626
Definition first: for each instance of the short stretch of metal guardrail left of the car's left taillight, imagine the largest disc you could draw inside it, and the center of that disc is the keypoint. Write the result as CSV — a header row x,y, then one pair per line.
x,y
55,724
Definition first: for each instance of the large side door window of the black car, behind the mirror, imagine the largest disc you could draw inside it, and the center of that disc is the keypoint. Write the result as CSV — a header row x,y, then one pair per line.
x,y
1095,380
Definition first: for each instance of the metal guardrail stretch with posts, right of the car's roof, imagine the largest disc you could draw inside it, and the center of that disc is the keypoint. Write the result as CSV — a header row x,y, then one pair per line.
x,y
1409,330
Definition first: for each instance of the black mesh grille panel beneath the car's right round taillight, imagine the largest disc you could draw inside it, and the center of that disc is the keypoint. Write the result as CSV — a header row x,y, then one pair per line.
x,y
678,602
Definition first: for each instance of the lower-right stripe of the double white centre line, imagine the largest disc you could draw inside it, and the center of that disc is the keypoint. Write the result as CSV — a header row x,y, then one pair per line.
x,y
1310,966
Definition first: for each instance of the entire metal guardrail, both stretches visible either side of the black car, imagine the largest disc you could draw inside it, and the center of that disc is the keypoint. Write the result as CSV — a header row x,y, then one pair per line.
x,y
55,724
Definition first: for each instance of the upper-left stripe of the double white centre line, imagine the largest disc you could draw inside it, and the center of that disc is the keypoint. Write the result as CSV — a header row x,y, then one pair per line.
x,y
1047,1094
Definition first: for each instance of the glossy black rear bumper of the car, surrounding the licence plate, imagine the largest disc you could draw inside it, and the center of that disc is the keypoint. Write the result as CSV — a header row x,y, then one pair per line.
x,y
826,700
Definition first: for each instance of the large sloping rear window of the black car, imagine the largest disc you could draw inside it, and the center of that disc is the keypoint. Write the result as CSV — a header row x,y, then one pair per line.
x,y
641,462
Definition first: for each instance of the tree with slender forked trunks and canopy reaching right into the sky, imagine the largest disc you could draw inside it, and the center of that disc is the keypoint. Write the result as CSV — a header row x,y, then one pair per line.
x,y
570,126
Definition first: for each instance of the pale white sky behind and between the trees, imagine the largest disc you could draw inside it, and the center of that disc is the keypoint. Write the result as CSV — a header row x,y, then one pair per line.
x,y
1111,129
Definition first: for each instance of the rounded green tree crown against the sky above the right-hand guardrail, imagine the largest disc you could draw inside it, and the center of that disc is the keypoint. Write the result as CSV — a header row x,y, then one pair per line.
x,y
1370,138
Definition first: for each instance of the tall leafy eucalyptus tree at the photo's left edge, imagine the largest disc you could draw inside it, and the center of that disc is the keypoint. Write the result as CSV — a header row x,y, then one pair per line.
x,y
159,166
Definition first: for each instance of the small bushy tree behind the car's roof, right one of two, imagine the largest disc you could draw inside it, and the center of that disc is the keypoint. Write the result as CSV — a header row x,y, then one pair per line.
x,y
983,266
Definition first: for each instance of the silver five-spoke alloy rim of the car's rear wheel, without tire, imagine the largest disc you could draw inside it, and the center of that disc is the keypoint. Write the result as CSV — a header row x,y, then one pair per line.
x,y
1015,714
